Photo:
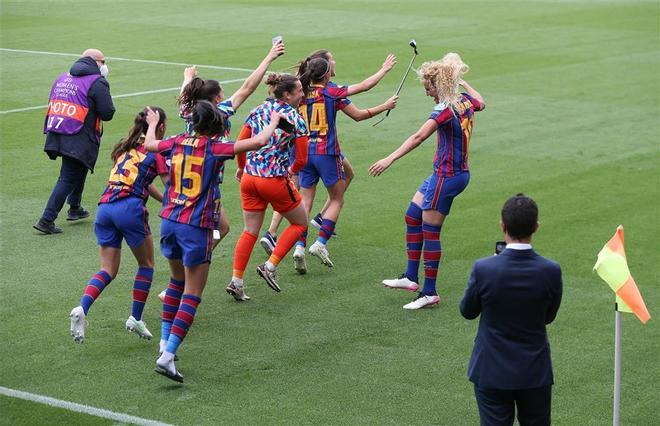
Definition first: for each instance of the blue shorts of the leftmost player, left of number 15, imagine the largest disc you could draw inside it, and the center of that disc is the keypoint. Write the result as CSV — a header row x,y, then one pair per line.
x,y
125,218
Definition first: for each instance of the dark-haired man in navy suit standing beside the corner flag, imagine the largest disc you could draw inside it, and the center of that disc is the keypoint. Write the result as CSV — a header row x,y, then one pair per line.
x,y
517,293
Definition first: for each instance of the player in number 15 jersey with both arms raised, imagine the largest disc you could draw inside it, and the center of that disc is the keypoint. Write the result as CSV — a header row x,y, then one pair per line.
x,y
189,202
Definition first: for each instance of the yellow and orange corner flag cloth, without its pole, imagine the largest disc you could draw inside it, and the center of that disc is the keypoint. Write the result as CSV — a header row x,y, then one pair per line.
x,y
612,267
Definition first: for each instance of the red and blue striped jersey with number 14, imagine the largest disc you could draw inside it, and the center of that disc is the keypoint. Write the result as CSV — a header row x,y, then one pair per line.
x,y
319,110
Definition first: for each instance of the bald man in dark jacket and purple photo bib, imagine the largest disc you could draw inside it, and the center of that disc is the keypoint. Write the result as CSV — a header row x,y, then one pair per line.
x,y
79,101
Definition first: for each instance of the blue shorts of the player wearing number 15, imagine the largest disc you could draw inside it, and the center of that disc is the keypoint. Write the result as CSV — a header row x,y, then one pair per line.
x,y
191,244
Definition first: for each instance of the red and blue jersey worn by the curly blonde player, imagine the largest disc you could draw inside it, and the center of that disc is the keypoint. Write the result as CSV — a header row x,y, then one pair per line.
x,y
454,131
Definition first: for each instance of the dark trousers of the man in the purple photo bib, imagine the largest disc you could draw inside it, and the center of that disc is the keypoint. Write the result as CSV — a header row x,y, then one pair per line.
x,y
69,186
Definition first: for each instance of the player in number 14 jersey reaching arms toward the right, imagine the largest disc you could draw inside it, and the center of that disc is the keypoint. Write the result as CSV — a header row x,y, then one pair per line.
x,y
319,109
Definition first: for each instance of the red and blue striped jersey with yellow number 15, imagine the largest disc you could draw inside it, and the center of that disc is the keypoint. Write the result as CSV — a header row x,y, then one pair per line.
x,y
192,193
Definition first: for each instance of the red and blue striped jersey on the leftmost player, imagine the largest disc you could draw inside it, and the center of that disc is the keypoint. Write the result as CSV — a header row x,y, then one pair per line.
x,y
132,174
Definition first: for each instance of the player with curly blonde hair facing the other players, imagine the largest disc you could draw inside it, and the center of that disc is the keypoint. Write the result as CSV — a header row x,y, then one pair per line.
x,y
452,120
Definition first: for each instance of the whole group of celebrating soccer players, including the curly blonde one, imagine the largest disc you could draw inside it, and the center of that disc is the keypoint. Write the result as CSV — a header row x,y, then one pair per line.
x,y
286,145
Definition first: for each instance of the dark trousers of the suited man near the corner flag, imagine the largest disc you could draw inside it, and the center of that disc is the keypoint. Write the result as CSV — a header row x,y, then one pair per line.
x,y
499,406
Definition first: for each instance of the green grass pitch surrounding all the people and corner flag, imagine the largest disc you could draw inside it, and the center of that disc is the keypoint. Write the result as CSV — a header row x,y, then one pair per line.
x,y
572,89
